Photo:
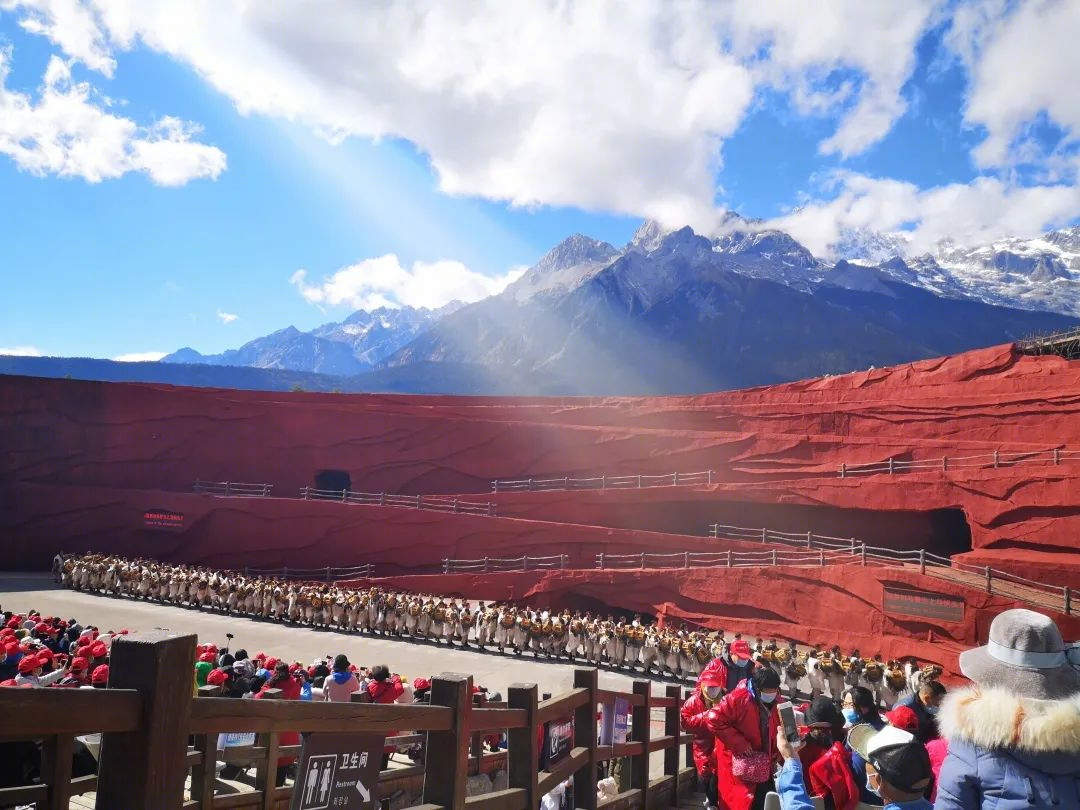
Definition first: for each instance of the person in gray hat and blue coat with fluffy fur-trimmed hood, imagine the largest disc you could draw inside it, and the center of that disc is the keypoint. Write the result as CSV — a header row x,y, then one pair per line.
x,y
1015,737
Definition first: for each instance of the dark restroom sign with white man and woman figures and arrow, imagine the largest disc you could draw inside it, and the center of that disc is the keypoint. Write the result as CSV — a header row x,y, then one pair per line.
x,y
339,772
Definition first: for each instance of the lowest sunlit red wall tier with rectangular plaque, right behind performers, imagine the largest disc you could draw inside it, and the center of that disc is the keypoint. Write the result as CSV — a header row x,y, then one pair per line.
x,y
840,605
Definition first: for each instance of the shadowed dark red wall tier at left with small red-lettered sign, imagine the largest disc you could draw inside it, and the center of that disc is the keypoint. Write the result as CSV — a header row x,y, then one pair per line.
x,y
39,520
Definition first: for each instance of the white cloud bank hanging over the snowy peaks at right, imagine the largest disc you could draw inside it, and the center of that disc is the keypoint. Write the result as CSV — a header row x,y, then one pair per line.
x,y
982,211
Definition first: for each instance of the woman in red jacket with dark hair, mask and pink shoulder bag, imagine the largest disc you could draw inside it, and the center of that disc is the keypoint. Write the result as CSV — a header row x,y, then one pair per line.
x,y
745,726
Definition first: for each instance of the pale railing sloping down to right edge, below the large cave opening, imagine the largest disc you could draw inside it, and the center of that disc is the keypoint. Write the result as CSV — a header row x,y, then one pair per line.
x,y
847,550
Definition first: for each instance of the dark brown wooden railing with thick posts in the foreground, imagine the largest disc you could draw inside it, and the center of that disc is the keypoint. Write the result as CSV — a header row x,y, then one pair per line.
x,y
148,715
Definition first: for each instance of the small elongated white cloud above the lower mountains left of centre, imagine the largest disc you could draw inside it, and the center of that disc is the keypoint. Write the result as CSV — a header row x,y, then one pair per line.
x,y
385,282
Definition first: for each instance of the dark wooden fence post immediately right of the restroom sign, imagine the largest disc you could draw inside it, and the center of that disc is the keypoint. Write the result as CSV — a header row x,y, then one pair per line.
x,y
447,753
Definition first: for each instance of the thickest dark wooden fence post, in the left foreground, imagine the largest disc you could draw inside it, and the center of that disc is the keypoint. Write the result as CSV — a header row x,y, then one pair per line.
x,y
148,768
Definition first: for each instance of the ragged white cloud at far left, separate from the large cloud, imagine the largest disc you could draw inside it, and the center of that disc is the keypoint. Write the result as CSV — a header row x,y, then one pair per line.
x,y
69,132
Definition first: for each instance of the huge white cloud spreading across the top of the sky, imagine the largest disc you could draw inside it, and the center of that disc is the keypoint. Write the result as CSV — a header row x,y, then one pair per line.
x,y
620,107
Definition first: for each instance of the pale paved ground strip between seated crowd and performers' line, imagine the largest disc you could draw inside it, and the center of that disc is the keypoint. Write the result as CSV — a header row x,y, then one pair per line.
x,y
21,592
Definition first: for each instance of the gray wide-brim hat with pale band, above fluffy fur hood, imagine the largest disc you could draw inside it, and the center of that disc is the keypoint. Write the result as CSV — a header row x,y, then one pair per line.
x,y
1027,656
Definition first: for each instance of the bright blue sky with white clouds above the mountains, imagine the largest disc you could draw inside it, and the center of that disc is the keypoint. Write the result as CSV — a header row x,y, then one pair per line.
x,y
161,188
